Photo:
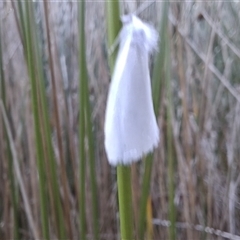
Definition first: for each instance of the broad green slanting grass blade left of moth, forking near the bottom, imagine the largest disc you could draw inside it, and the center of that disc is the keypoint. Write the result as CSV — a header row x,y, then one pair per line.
x,y
45,153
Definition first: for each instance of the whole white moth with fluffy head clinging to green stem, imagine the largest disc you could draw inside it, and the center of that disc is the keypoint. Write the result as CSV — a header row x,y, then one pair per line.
x,y
131,129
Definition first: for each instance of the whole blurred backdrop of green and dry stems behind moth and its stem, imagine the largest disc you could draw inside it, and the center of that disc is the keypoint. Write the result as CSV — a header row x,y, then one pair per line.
x,y
56,182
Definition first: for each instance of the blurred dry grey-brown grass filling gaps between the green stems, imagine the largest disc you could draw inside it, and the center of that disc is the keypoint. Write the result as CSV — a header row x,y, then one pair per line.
x,y
205,58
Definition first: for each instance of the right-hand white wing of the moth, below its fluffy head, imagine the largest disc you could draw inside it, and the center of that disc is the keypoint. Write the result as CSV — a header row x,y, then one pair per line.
x,y
138,125
